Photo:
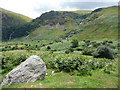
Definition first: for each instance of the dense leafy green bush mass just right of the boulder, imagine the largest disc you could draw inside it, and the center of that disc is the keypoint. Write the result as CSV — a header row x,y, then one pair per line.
x,y
72,63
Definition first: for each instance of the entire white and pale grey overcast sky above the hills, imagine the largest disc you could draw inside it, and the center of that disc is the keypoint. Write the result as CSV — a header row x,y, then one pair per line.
x,y
34,8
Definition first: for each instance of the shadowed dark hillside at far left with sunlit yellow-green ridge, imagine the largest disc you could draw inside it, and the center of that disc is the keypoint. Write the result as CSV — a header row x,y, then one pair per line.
x,y
11,21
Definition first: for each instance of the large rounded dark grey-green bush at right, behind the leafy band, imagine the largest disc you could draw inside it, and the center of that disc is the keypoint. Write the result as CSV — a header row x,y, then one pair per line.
x,y
103,52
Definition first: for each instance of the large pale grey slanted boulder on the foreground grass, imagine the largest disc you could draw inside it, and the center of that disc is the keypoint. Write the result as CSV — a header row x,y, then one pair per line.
x,y
30,70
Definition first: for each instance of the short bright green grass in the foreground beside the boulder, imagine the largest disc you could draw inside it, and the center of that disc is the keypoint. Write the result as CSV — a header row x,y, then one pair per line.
x,y
99,79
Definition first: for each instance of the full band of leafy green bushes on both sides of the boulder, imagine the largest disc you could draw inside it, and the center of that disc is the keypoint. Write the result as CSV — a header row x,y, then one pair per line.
x,y
60,62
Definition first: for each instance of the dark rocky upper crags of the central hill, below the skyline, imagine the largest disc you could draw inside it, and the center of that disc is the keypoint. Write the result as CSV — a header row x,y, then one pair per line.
x,y
61,17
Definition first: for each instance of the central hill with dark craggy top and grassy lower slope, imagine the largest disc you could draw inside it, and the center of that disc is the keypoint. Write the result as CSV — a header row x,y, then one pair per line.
x,y
56,25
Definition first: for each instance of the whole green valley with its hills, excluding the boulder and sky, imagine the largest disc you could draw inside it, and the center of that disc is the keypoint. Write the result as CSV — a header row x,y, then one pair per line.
x,y
68,43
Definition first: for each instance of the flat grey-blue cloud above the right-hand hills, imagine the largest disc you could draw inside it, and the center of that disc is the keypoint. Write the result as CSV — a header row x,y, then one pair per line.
x,y
87,5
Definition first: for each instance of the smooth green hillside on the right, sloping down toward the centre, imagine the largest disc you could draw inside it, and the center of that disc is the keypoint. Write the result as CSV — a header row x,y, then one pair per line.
x,y
100,24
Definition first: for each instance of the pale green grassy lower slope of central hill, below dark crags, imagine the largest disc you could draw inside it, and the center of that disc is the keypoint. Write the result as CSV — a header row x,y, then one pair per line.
x,y
50,33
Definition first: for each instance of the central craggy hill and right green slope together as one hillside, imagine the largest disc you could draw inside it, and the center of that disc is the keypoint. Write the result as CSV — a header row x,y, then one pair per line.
x,y
101,23
